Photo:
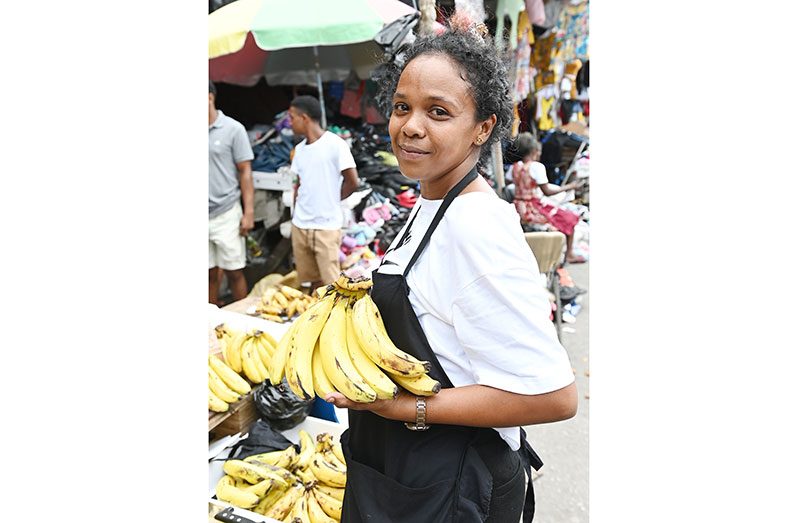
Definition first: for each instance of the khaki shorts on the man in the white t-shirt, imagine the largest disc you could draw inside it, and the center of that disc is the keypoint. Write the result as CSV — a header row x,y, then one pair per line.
x,y
316,254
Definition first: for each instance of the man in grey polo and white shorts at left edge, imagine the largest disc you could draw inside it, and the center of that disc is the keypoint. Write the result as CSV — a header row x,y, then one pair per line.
x,y
231,194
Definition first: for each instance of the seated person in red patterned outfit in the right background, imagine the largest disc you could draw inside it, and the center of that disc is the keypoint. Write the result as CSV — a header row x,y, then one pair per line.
x,y
531,185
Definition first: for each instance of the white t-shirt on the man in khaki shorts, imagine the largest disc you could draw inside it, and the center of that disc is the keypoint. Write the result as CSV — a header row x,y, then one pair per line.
x,y
319,166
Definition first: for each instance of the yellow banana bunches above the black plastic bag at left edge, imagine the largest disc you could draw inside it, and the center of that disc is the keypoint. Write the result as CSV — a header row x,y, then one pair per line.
x,y
245,354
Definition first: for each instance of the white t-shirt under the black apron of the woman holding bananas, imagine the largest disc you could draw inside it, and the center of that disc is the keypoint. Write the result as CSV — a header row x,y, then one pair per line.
x,y
478,296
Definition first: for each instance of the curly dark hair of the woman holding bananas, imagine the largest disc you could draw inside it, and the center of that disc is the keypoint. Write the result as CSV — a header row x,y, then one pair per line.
x,y
484,70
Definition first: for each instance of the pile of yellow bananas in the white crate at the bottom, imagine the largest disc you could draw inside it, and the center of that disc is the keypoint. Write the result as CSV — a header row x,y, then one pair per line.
x,y
290,486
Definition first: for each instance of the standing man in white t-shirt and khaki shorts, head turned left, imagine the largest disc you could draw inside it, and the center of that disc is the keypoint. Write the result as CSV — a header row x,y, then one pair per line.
x,y
327,175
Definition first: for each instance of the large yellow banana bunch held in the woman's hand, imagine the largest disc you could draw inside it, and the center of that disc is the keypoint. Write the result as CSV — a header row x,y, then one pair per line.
x,y
340,344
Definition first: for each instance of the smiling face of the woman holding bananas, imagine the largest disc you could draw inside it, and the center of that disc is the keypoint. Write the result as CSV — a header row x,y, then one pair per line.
x,y
433,124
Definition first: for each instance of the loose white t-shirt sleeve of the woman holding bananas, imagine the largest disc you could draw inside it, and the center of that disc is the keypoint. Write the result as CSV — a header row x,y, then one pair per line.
x,y
502,322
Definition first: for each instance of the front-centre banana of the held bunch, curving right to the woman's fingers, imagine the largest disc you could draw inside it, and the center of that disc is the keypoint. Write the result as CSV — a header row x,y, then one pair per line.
x,y
335,357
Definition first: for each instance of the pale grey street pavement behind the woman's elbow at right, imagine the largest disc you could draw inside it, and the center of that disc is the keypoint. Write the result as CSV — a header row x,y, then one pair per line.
x,y
561,485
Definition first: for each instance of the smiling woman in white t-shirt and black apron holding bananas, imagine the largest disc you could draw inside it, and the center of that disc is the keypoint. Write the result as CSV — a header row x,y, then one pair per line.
x,y
459,288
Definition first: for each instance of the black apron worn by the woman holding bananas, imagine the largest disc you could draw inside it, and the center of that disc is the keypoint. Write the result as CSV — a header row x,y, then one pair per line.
x,y
443,474
